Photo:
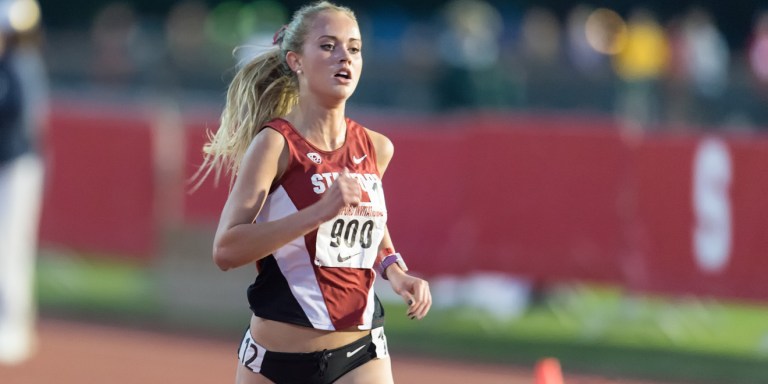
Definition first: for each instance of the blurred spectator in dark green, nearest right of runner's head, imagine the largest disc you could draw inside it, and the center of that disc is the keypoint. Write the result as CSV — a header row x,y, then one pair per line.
x,y
469,49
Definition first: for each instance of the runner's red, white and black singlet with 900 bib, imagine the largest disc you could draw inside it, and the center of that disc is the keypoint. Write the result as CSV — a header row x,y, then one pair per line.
x,y
325,279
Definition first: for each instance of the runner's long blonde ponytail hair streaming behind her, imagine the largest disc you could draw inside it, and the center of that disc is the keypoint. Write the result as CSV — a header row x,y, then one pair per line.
x,y
263,89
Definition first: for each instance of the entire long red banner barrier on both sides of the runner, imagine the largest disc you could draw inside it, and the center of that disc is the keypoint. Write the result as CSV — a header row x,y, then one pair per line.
x,y
547,198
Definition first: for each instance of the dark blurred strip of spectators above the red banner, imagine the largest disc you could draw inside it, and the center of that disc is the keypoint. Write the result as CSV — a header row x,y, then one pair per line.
x,y
689,63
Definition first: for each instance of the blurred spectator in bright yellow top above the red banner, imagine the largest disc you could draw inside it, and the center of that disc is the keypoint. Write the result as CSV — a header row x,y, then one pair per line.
x,y
640,64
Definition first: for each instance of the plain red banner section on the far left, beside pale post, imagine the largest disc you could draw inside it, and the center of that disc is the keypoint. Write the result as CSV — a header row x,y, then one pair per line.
x,y
99,186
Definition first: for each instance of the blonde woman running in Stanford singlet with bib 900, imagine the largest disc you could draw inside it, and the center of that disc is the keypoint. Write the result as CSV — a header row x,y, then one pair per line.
x,y
307,207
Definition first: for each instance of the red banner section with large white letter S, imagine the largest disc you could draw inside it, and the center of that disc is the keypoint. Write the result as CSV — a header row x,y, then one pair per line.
x,y
702,217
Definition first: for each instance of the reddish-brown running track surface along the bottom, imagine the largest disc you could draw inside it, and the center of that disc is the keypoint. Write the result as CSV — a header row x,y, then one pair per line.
x,y
78,353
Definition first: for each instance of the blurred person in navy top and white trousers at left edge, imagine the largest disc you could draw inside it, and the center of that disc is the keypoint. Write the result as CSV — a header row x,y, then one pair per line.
x,y
23,116
